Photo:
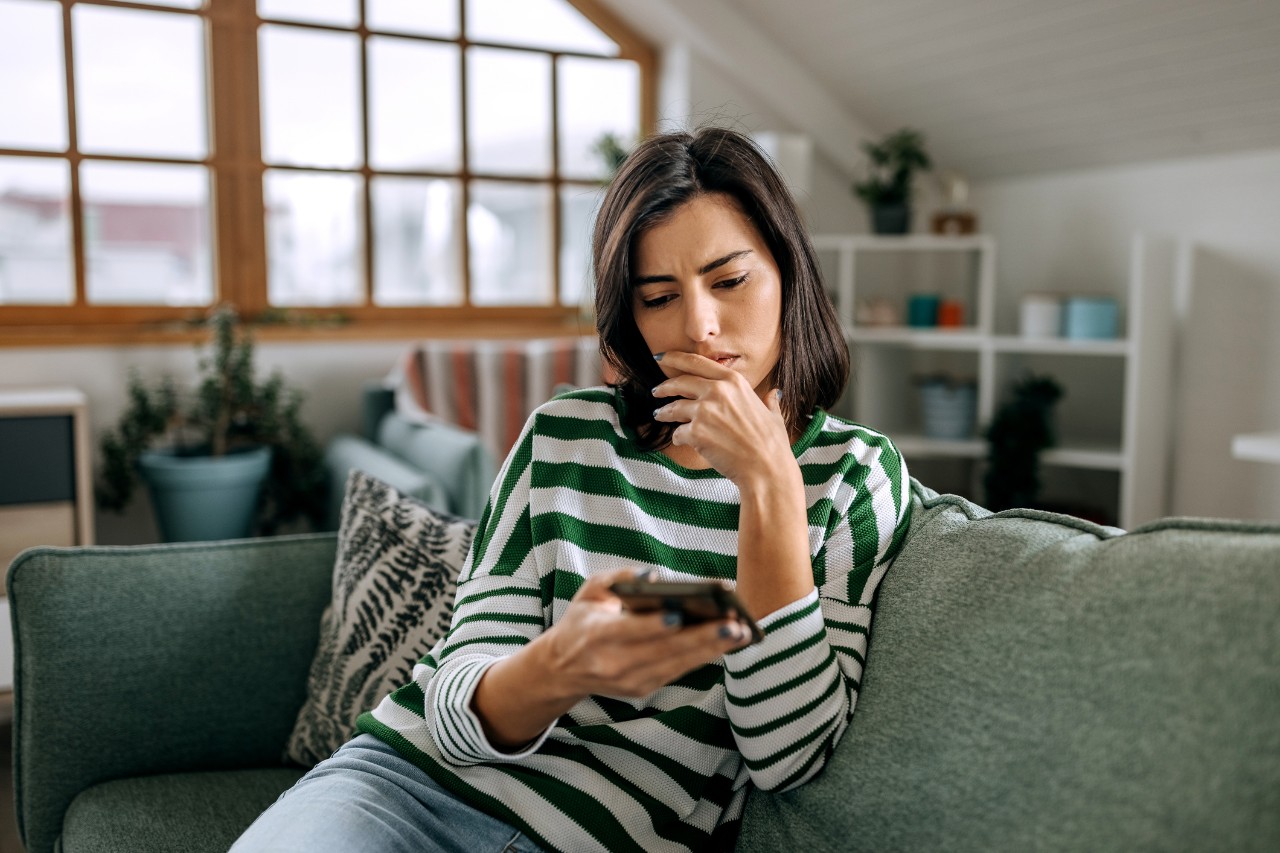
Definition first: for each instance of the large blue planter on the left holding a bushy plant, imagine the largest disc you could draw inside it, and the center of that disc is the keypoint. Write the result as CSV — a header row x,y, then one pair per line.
x,y
202,499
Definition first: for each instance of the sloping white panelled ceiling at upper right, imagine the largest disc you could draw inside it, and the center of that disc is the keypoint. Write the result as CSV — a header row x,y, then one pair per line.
x,y
1005,88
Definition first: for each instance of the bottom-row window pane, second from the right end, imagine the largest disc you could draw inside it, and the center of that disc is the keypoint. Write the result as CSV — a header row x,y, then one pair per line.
x,y
511,239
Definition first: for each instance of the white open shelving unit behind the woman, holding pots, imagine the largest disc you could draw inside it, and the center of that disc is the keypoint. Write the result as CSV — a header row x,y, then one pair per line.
x,y
1113,422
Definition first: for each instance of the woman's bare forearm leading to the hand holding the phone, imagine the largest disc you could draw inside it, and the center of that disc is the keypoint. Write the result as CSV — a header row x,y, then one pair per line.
x,y
520,696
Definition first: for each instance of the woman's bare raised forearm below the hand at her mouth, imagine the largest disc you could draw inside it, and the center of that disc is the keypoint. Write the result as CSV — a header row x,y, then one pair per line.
x,y
774,563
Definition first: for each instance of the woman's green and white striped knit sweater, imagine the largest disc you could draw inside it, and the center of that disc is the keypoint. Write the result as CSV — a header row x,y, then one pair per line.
x,y
669,772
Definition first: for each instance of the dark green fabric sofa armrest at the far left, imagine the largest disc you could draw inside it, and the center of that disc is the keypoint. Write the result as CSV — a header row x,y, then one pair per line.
x,y
157,659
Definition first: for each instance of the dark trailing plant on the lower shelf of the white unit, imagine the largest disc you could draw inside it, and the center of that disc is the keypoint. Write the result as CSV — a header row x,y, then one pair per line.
x,y
1022,428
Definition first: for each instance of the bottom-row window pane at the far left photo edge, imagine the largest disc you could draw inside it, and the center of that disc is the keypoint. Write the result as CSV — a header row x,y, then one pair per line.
x,y
35,232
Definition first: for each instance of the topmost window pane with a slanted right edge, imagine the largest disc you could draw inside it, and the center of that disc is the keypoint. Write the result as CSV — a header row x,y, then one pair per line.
x,y
537,24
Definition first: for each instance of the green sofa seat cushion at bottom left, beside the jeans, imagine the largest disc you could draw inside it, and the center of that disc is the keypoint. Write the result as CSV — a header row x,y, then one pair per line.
x,y
191,813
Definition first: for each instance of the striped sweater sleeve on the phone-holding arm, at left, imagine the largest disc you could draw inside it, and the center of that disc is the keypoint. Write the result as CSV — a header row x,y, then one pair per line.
x,y
499,610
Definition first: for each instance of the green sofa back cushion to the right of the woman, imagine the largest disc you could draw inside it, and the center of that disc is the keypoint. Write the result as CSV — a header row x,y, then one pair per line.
x,y
1036,682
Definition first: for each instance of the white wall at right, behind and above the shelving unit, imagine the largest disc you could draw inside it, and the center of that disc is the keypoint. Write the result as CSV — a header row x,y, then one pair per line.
x,y
1072,231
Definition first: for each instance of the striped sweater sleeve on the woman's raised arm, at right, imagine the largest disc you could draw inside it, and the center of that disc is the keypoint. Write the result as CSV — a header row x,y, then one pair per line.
x,y
790,697
